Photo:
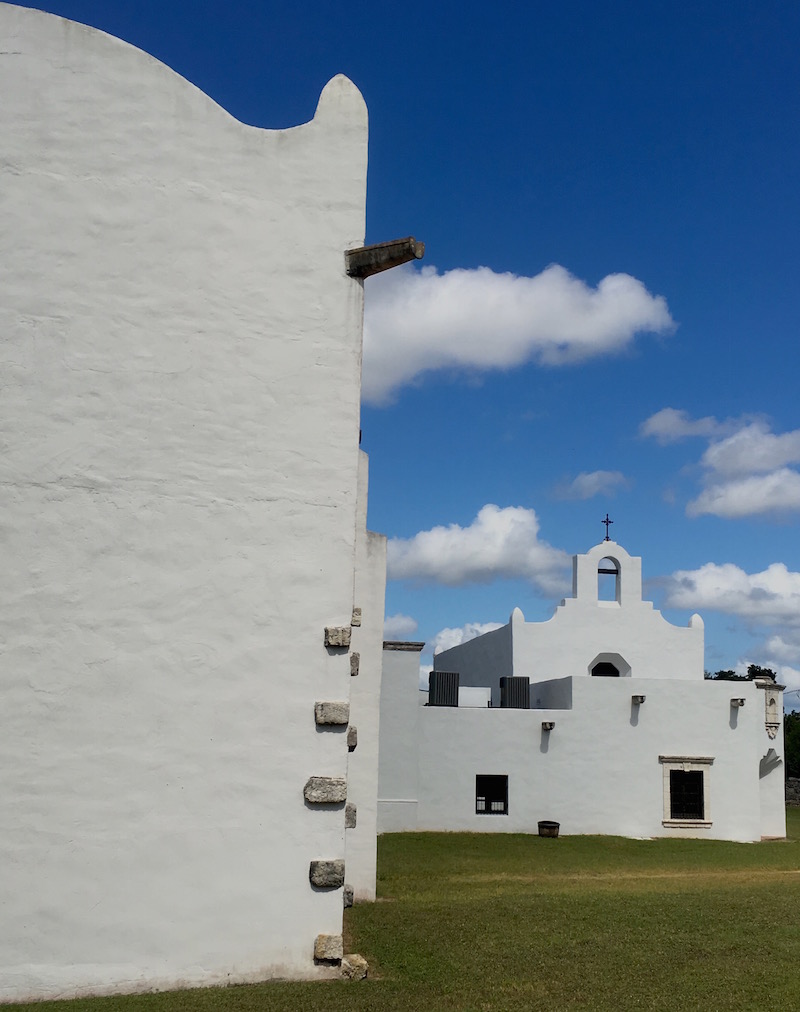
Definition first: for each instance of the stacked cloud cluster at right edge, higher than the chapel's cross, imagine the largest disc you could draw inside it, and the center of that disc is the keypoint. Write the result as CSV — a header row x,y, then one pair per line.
x,y
746,468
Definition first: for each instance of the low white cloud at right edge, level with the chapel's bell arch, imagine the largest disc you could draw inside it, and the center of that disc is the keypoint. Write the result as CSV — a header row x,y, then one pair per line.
x,y
771,598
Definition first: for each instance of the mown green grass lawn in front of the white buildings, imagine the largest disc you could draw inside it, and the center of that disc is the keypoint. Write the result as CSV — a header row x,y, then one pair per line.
x,y
479,921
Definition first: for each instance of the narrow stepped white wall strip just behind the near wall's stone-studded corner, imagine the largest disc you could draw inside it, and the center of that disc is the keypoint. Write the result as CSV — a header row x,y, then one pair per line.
x,y
368,641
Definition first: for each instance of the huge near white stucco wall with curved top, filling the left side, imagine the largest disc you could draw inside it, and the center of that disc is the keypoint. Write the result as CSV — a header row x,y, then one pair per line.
x,y
182,355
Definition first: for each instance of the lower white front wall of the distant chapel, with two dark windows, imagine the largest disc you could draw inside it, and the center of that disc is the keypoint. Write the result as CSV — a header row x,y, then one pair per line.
x,y
599,770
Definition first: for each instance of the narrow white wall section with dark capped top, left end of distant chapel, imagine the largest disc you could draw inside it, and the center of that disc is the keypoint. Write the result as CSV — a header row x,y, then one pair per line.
x,y
400,727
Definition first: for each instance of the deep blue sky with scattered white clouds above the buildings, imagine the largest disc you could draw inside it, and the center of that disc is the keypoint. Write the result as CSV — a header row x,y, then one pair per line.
x,y
607,319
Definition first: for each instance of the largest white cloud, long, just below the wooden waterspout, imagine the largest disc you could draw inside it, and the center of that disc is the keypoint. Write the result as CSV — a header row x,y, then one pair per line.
x,y
418,321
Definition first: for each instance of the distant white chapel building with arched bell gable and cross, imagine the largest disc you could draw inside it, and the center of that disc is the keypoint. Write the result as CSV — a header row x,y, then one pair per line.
x,y
599,720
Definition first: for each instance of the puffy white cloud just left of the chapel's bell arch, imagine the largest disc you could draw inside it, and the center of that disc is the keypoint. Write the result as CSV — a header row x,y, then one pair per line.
x,y
499,543
